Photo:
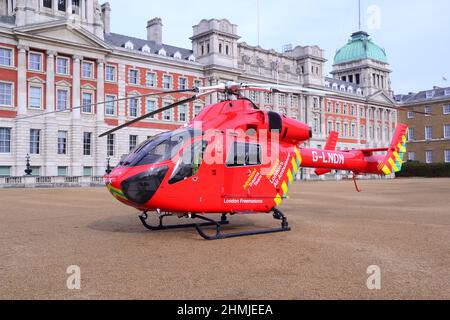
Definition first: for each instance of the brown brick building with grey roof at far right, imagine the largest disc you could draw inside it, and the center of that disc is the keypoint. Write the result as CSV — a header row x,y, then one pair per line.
x,y
429,135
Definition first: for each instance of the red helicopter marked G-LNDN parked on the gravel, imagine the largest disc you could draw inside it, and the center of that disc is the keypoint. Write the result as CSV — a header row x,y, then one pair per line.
x,y
233,159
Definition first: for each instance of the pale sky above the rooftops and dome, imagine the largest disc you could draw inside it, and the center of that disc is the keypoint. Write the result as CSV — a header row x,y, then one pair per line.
x,y
415,33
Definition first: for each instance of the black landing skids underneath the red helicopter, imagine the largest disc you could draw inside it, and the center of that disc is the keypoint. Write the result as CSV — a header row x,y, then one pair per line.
x,y
278,215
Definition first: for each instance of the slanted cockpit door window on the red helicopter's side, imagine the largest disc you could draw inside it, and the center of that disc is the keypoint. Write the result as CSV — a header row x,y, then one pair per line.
x,y
189,163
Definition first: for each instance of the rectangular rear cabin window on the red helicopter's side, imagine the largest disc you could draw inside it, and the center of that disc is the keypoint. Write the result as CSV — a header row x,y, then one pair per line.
x,y
244,154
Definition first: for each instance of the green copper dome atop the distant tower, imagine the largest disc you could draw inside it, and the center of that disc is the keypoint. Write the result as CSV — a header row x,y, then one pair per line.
x,y
360,47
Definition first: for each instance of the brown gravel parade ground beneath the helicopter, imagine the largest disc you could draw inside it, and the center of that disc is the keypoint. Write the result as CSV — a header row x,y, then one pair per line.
x,y
402,226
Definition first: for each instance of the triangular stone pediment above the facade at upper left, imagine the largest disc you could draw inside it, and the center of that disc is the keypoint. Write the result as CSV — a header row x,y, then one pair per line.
x,y
63,31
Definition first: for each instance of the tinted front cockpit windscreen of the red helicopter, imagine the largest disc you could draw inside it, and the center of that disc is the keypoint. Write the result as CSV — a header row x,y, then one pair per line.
x,y
160,148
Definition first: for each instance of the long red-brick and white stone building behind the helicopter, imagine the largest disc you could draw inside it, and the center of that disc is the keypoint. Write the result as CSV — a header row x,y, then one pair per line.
x,y
55,58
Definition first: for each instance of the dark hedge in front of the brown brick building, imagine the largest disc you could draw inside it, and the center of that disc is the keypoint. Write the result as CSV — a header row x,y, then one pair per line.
x,y
416,169
